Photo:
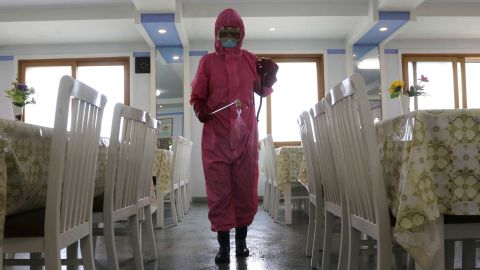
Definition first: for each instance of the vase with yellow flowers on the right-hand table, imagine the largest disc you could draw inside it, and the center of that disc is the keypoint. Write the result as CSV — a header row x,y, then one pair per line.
x,y
397,90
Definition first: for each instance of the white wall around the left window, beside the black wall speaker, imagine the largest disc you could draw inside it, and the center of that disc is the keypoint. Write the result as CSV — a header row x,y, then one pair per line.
x,y
139,83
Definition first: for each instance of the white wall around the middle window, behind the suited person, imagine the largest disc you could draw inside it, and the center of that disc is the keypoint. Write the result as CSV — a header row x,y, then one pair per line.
x,y
334,68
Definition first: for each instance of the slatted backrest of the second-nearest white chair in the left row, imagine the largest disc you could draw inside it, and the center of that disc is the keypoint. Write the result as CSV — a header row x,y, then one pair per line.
x,y
125,158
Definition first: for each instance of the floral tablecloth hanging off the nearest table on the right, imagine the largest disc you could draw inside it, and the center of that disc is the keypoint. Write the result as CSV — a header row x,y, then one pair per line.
x,y
431,166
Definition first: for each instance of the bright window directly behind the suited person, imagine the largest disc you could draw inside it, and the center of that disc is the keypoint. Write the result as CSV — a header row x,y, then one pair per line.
x,y
299,86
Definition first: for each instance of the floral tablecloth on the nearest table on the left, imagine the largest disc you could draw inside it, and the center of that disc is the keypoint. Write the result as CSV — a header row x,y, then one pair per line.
x,y
24,157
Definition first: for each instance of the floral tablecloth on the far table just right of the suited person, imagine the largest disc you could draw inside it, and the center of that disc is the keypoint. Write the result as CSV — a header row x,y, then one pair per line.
x,y
289,159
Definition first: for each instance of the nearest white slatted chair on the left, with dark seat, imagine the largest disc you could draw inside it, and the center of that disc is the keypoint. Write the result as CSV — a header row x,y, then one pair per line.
x,y
67,217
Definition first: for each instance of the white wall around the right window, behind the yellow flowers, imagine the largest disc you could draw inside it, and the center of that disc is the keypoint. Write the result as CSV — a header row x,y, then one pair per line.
x,y
393,70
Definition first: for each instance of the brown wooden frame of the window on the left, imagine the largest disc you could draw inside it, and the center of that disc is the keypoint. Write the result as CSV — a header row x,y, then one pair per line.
x,y
76,62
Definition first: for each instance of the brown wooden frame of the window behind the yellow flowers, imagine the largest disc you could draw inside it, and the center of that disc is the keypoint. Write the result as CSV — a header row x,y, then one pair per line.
x,y
456,59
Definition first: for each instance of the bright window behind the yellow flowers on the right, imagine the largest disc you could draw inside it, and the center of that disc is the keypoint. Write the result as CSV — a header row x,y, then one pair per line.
x,y
453,80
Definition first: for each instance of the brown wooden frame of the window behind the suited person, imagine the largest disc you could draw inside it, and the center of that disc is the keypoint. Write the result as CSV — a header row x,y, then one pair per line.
x,y
296,58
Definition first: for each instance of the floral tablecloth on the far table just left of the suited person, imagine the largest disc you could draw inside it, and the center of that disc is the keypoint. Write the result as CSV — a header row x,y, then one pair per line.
x,y
161,169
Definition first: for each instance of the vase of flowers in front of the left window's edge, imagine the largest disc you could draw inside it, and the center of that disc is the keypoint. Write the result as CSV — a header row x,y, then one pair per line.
x,y
21,95
